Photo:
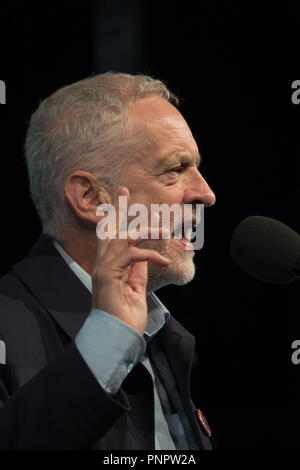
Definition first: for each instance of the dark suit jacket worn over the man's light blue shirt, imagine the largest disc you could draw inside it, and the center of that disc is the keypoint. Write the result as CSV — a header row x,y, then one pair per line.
x,y
49,397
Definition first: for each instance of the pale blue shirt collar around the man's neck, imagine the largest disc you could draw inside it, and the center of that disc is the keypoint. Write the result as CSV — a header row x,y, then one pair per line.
x,y
158,314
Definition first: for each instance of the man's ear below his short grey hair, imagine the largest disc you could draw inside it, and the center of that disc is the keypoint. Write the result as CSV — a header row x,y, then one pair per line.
x,y
84,194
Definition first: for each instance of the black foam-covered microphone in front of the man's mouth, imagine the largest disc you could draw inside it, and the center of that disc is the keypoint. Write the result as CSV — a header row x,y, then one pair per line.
x,y
267,249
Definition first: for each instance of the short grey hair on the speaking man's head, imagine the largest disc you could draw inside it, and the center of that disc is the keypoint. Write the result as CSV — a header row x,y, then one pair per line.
x,y
83,126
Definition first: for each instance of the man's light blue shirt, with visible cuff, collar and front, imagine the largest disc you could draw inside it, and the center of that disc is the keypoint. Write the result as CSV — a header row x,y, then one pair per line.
x,y
121,349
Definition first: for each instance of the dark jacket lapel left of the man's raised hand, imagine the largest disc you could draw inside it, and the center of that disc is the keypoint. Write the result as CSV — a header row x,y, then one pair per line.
x,y
53,283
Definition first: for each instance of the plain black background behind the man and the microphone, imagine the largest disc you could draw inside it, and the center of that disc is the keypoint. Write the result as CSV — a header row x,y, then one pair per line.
x,y
233,67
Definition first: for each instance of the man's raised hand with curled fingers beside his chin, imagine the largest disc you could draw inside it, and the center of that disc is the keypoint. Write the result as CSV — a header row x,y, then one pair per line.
x,y
120,275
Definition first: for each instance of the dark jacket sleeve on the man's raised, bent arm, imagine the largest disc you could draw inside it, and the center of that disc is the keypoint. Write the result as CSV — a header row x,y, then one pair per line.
x,y
61,407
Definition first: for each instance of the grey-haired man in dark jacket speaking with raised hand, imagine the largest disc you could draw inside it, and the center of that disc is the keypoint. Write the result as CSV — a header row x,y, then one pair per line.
x,y
93,359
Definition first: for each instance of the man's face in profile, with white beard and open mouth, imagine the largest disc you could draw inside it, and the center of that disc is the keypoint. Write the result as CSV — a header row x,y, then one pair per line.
x,y
165,171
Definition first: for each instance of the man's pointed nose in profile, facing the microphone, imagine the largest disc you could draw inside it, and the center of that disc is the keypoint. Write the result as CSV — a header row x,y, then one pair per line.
x,y
199,190
